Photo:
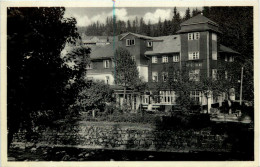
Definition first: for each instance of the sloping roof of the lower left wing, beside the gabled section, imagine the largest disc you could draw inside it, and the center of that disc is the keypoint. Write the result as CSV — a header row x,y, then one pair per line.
x,y
101,51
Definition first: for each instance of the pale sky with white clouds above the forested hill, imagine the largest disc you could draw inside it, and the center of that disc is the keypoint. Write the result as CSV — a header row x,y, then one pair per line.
x,y
87,15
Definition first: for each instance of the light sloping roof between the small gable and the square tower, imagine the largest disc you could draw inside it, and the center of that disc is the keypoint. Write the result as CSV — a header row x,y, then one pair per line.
x,y
169,44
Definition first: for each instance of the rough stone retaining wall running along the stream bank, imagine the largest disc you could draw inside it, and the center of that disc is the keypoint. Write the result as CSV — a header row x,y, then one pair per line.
x,y
118,136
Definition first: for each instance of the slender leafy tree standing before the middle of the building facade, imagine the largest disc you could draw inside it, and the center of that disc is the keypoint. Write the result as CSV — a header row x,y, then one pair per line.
x,y
127,74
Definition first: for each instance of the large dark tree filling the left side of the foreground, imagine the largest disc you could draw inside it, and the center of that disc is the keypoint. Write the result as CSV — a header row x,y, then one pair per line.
x,y
37,77
